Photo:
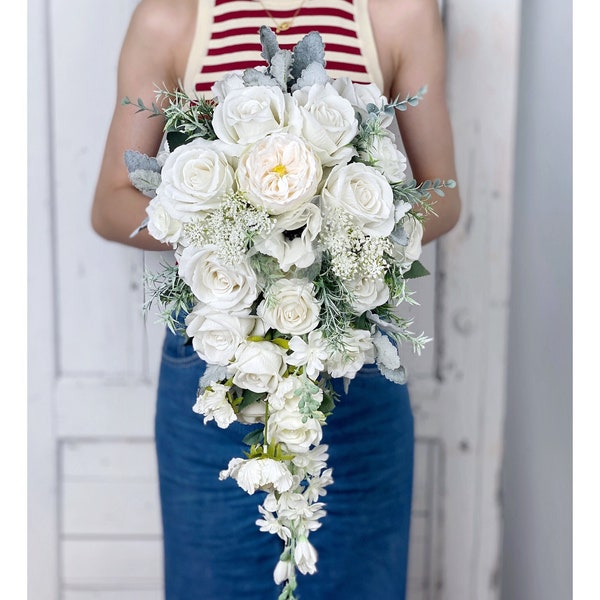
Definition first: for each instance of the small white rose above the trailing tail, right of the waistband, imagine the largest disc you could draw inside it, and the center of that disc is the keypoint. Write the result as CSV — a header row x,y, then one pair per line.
x,y
258,366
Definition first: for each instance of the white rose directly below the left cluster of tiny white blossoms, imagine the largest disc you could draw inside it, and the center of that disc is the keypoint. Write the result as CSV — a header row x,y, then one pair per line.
x,y
224,287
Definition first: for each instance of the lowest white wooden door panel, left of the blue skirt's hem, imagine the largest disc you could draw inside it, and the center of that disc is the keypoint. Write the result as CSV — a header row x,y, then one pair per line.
x,y
112,564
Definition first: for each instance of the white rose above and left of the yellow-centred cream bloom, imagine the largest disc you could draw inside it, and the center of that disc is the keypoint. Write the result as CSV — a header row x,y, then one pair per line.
x,y
248,114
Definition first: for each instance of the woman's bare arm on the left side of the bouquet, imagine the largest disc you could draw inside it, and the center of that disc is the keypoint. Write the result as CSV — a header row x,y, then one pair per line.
x,y
148,60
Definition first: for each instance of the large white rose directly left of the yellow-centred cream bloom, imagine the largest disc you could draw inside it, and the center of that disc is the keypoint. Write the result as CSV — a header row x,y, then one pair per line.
x,y
195,177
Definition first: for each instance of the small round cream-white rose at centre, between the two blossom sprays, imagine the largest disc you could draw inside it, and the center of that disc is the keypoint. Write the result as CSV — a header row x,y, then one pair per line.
x,y
290,306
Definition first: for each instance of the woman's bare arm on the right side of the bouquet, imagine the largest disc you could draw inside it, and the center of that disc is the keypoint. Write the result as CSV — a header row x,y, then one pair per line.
x,y
411,32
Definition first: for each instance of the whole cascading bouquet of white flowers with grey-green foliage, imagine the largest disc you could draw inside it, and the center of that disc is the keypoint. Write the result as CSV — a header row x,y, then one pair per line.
x,y
295,233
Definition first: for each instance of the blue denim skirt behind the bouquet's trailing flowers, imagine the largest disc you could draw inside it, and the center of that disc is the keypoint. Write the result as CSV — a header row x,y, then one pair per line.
x,y
213,550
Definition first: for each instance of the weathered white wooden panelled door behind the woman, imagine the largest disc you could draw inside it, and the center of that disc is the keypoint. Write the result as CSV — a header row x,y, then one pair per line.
x,y
94,530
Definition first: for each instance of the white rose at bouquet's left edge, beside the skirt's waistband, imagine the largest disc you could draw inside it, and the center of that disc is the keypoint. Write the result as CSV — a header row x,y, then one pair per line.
x,y
216,335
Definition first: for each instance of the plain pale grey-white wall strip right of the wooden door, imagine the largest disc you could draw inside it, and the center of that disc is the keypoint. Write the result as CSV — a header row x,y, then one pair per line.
x,y
537,470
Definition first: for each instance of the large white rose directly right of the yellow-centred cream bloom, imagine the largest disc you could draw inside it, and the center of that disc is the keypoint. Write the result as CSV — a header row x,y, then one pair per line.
x,y
365,194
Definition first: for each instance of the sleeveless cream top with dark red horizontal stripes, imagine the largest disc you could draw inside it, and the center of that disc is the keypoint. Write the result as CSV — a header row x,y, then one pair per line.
x,y
226,38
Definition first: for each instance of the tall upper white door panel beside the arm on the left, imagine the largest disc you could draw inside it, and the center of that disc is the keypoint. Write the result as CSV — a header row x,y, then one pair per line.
x,y
98,283
